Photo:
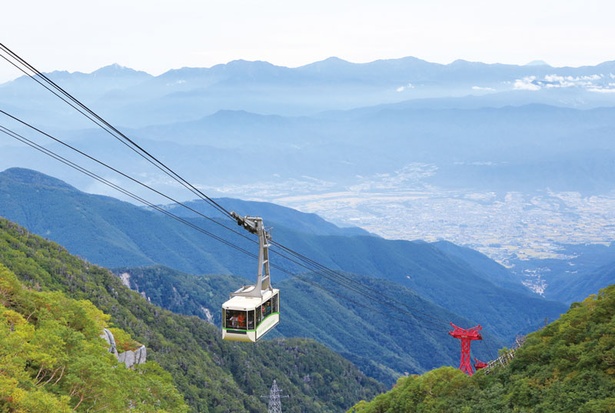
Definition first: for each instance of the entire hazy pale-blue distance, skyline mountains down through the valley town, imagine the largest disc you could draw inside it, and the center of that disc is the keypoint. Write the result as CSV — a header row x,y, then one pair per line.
x,y
368,145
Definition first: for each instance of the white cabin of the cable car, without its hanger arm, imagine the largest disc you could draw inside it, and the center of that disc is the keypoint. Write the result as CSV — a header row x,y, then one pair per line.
x,y
250,318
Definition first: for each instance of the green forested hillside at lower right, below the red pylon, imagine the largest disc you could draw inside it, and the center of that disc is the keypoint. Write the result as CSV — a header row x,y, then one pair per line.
x,y
569,366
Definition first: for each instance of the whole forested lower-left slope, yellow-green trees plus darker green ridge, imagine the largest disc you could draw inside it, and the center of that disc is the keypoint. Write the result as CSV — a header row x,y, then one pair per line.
x,y
211,375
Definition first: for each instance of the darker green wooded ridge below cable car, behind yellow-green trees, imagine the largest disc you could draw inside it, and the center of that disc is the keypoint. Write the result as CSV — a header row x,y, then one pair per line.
x,y
212,375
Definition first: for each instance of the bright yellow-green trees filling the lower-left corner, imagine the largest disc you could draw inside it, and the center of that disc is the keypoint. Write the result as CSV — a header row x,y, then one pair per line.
x,y
54,360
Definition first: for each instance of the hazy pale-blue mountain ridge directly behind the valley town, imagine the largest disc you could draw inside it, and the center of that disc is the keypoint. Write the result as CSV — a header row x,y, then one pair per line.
x,y
528,148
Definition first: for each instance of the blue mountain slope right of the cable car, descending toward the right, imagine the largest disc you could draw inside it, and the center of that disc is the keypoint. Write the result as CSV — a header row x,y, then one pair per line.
x,y
447,281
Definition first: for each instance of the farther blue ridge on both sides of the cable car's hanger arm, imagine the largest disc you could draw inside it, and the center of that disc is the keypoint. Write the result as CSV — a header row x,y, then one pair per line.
x,y
117,234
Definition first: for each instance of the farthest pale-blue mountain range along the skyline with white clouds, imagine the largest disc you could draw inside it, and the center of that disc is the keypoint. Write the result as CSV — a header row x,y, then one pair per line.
x,y
131,98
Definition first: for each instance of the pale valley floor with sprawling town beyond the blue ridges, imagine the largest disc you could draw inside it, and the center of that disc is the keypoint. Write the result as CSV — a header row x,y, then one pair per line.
x,y
507,226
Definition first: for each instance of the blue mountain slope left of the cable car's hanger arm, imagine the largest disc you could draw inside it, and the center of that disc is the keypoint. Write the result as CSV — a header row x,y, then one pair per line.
x,y
106,231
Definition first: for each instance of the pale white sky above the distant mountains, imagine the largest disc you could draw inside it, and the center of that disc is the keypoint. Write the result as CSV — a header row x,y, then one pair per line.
x,y
159,35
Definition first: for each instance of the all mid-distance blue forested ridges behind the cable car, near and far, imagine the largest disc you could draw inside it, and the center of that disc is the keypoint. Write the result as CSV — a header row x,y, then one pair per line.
x,y
417,286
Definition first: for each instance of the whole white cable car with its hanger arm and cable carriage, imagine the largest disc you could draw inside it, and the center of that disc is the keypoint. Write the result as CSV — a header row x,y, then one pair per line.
x,y
253,310
